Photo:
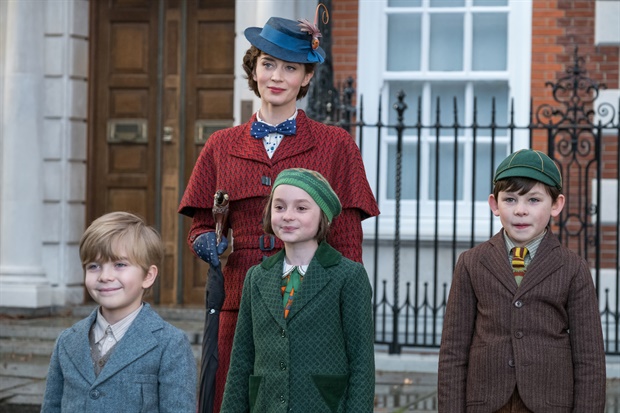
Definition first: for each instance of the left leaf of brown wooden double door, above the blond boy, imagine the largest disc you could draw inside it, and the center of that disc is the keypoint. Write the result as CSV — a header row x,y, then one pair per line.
x,y
123,73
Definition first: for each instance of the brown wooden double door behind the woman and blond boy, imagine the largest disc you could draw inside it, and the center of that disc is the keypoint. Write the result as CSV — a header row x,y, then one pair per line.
x,y
148,65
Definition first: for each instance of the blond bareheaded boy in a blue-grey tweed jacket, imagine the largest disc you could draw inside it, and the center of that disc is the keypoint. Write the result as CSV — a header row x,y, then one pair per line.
x,y
123,356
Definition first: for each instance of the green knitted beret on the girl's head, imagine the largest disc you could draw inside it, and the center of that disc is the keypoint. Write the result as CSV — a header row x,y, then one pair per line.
x,y
315,185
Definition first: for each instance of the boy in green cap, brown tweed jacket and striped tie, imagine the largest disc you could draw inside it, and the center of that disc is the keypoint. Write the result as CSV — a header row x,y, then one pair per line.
x,y
522,331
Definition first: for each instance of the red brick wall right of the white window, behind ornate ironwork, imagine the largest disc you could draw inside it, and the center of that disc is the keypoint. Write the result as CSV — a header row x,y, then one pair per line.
x,y
558,27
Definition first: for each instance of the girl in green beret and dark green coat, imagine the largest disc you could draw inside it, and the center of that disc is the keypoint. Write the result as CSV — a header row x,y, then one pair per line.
x,y
304,337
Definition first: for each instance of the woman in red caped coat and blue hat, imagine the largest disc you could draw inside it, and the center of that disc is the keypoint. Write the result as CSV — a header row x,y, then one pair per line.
x,y
244,160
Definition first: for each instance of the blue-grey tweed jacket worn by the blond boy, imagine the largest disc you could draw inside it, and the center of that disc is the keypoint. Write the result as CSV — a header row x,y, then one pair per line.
x,y
152,369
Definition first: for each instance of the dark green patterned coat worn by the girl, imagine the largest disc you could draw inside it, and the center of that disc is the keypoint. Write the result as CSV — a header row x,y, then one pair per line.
x,y
320,359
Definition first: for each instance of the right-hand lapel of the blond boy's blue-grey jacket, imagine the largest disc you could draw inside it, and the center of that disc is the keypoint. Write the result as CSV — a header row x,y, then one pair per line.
x,y
137,341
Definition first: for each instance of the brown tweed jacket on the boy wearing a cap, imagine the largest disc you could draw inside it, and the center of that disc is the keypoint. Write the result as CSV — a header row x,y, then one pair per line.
x,y
544,337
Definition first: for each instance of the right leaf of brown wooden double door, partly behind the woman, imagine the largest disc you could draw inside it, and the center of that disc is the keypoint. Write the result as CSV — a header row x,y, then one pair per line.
x,y
210,76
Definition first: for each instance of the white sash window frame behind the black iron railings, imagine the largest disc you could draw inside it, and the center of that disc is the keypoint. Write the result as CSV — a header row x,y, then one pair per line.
x,y
372,85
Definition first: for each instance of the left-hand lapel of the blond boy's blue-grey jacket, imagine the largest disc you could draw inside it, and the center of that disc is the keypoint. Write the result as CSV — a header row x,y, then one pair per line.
x,y
77,347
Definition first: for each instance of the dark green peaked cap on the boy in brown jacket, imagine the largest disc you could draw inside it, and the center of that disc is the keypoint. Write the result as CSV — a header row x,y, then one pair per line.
x,y
529,163
